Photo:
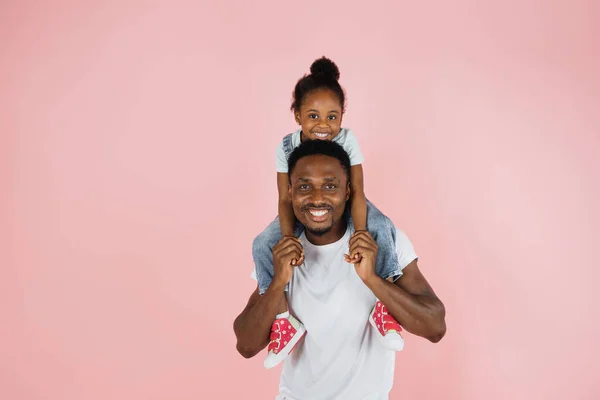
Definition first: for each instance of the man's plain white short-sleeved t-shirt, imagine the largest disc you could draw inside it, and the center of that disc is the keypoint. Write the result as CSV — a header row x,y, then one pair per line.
x,y
340,357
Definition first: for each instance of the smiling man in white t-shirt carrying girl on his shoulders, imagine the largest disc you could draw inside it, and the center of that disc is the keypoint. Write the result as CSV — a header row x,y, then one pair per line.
x,y
339,357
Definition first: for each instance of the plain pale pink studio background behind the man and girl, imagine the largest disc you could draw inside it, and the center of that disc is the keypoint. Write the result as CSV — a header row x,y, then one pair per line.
x,y
137,164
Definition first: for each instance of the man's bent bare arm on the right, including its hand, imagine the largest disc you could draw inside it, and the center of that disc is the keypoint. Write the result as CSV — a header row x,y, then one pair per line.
x,y
410,299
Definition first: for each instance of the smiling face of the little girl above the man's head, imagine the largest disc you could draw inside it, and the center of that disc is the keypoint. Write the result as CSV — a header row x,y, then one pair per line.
x,y
320,115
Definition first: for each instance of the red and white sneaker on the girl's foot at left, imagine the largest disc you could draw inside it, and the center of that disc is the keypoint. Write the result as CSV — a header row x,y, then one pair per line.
x,y
285,334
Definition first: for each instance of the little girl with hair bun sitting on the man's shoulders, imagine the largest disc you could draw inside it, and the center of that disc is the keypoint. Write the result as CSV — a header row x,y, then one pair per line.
x,y
318,106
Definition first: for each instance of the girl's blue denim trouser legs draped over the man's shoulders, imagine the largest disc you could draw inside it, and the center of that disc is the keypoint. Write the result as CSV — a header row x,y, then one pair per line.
x,y
380,227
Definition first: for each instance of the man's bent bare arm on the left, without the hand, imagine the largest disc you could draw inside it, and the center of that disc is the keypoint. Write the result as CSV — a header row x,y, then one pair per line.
x,y
253,326
